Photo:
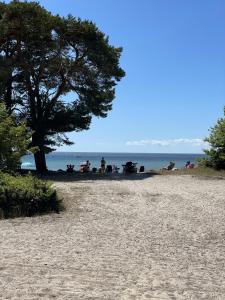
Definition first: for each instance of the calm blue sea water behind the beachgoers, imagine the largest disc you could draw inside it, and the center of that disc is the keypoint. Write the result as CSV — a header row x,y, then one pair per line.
x,y
59,160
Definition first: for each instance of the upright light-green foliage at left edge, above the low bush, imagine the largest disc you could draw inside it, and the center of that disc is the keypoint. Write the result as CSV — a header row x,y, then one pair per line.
x,y
14,141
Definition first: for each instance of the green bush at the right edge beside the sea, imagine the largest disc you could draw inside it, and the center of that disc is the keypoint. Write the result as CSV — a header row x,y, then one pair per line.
x,y
216,154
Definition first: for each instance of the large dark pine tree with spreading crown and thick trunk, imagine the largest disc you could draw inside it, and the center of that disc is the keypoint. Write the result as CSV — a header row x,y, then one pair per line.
x,y
56,73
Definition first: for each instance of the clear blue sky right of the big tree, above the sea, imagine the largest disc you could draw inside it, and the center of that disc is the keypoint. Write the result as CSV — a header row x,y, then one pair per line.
x,y
174,59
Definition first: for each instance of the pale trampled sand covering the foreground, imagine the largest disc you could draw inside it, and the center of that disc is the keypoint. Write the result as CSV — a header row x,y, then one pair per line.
x,y
161,237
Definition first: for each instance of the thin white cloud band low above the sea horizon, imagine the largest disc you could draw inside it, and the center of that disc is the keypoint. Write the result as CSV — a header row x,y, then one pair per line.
x,y
169,142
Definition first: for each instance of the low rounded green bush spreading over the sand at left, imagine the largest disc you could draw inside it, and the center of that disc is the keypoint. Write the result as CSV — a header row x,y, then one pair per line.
x,y
26,196
